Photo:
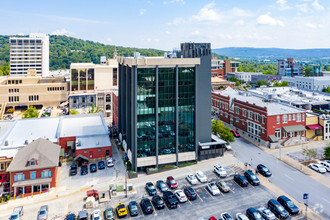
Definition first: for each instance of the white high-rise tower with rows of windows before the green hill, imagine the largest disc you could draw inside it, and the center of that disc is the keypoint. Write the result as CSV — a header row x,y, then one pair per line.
x,y
29,53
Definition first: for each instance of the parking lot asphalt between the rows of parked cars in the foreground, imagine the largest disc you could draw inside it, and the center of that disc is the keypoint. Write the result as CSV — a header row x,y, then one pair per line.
x,y
206,205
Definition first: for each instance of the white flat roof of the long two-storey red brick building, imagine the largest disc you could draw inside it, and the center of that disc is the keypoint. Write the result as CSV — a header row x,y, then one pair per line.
x,y
272,108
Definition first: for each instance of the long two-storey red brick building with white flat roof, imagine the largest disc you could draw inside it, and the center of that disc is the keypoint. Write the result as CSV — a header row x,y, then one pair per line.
x,y
259,119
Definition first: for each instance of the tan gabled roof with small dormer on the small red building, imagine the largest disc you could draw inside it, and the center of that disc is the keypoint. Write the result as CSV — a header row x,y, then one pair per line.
x,y
45,152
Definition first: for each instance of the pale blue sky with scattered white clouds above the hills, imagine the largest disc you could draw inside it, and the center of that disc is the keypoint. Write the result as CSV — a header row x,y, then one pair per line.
x,y
164,24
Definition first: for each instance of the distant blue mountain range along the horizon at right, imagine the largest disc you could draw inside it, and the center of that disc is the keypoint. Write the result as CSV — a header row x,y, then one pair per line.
x,y
252,52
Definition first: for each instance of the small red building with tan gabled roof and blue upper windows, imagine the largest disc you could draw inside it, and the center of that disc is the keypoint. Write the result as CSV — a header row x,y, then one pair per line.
x,y
34,168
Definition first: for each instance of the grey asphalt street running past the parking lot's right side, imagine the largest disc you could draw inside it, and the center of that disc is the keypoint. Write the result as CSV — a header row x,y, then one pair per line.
x,y
292,181
